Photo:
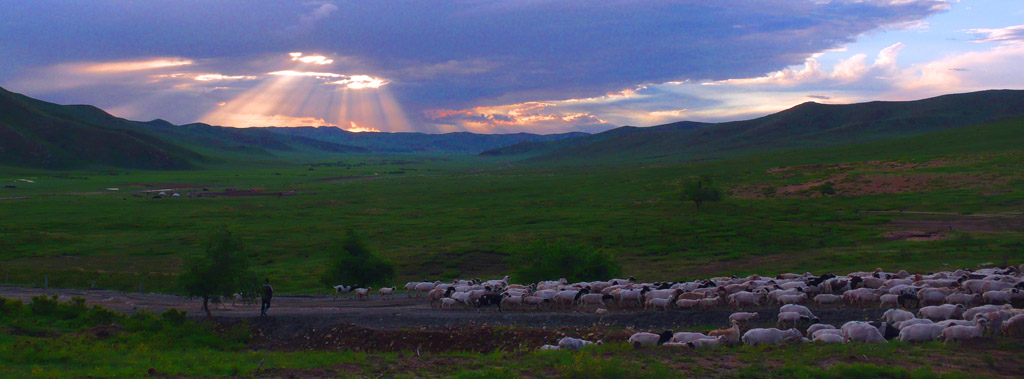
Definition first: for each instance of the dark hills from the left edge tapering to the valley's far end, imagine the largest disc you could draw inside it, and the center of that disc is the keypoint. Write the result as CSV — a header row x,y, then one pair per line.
x,y
36,134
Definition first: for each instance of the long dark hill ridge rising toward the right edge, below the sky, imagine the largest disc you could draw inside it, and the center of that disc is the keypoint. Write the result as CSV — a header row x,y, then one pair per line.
x,y
807,125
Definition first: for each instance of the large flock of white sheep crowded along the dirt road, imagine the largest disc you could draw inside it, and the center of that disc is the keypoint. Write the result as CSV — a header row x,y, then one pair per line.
x,y
951,306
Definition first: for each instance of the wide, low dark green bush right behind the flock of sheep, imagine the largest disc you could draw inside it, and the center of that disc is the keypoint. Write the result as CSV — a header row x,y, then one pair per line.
x,y
547,262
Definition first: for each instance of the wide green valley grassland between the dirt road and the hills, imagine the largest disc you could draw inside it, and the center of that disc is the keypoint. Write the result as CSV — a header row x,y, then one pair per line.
x,y
447,217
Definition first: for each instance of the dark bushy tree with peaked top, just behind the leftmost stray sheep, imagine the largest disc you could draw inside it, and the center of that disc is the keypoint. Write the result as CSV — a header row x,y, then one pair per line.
x,y
353,264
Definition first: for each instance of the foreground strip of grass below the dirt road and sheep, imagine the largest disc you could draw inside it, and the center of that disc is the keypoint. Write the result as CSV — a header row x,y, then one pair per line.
x,y
53,340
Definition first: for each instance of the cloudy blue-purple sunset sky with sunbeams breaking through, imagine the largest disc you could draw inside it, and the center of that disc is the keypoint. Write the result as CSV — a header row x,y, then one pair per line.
x,y
499,67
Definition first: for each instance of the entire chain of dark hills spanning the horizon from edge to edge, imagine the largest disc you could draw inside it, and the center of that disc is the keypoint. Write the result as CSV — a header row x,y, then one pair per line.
x,y
36,134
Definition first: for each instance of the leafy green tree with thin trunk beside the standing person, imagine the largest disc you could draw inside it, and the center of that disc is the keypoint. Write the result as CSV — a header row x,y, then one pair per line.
x,y
222,272
